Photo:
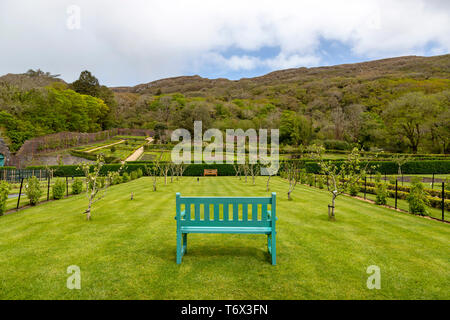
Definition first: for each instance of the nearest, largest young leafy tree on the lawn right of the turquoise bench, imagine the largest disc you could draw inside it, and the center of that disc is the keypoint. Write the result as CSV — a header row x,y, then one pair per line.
x,y
342,176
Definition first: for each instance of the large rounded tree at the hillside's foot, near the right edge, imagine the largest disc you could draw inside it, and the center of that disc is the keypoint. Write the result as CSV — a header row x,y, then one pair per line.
x,y
409,116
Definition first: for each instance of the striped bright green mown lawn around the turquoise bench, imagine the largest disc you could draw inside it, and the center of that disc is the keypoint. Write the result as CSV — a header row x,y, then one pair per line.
x,y
128,249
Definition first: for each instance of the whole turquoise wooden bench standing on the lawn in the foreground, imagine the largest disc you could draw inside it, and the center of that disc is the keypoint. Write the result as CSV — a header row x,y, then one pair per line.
x,y
203,215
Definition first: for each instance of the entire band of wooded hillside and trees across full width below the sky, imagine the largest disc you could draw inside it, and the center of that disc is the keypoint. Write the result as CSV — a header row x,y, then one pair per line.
x,y
399,104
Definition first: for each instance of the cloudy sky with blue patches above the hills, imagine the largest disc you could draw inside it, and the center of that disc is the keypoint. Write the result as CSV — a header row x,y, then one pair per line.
x,y
127,42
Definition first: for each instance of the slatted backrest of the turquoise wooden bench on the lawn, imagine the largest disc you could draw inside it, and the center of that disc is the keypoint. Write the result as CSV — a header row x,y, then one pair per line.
x,y
226,211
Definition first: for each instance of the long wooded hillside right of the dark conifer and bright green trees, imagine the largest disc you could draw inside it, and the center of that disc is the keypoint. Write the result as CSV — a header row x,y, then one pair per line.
x,y
399,104
